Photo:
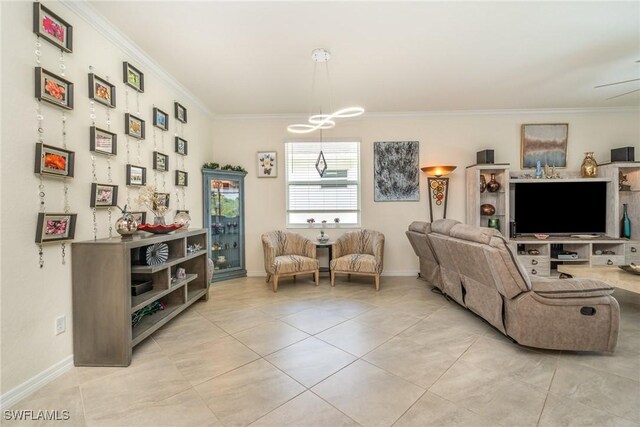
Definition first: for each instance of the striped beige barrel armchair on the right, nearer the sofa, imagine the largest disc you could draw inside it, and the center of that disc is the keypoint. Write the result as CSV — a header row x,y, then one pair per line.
x,y
358,252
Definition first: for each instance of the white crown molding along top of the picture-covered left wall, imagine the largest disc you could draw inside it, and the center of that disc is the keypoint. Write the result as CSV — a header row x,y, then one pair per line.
x,y
101,24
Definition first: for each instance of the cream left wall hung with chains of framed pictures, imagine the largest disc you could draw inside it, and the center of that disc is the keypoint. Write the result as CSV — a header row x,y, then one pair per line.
x,y
32,297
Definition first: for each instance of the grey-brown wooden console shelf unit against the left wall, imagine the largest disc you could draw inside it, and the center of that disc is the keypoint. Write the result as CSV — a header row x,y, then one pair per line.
x,y
103,306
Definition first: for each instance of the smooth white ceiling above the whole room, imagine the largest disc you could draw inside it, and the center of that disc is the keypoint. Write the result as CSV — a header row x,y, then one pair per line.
x,y
255,57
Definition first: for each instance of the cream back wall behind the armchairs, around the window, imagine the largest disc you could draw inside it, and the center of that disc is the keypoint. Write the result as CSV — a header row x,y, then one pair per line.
x,y
444,139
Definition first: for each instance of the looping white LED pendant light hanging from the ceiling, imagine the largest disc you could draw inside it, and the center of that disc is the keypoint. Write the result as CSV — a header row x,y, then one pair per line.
x,y
323,121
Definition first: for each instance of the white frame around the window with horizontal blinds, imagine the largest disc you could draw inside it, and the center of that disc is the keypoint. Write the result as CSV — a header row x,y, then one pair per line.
x,y
359,185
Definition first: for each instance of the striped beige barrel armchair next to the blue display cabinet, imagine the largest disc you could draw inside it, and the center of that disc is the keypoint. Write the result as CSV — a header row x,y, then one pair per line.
x,y
288,254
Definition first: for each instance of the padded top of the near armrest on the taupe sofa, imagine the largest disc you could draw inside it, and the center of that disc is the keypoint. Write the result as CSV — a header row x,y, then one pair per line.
x,y
571,288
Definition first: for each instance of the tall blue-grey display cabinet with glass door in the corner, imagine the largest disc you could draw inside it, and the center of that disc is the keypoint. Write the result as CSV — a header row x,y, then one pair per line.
x,y
224,220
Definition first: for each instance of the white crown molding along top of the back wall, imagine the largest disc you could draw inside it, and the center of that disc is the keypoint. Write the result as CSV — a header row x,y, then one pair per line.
x,y
416,114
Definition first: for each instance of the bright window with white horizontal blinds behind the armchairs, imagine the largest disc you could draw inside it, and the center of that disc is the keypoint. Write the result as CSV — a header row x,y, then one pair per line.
x,y
335,195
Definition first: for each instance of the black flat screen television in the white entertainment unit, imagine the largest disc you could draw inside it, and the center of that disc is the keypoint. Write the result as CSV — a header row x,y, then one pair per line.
x,y
560,208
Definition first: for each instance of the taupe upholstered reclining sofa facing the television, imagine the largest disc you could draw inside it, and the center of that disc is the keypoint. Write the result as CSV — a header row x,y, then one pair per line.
x,y
475,267
